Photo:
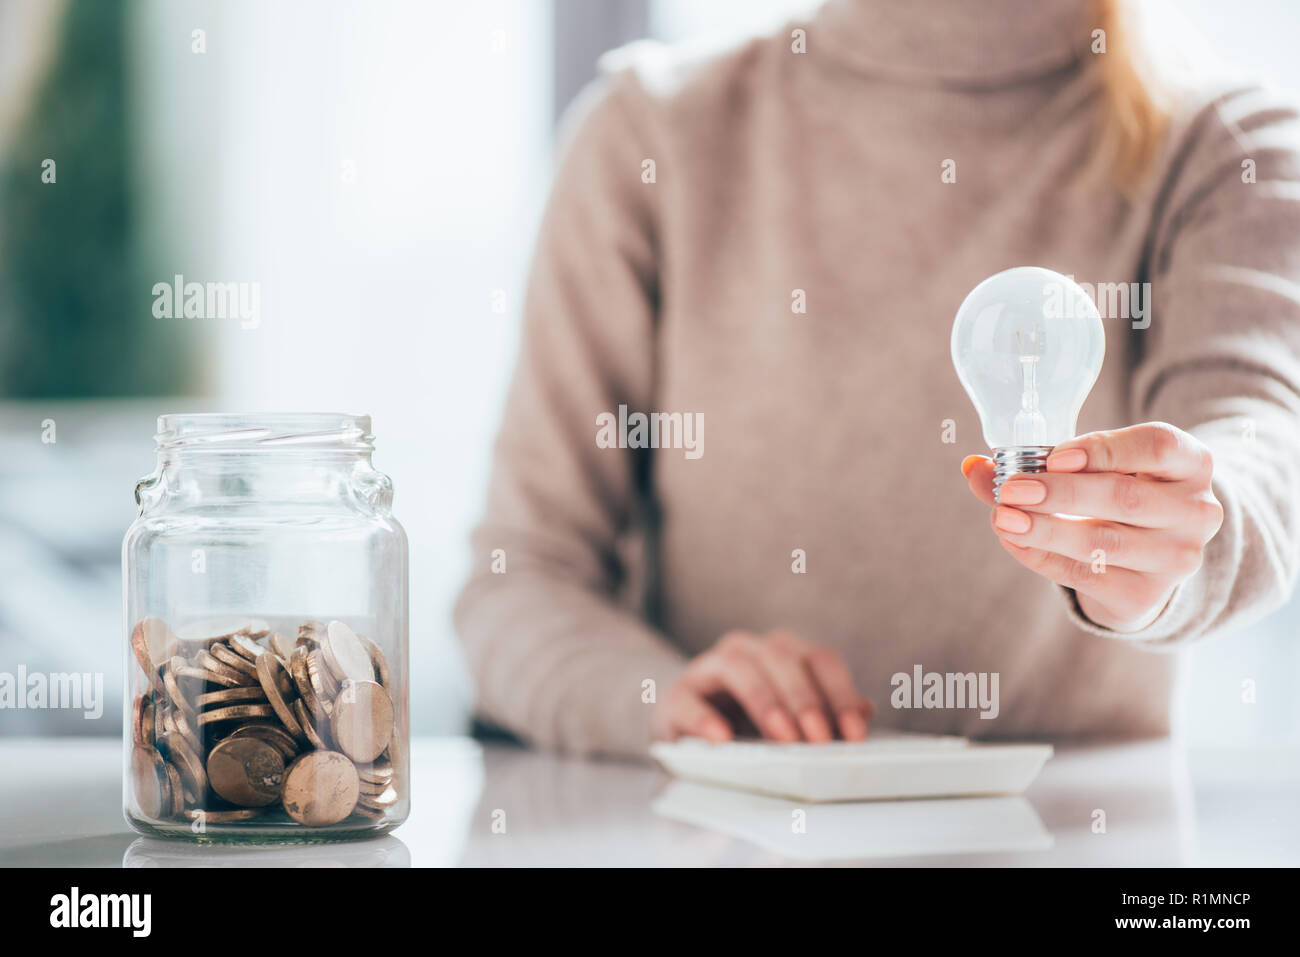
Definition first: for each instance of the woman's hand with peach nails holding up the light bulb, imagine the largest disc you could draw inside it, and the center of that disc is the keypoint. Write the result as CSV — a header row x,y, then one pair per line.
x,y
1120,517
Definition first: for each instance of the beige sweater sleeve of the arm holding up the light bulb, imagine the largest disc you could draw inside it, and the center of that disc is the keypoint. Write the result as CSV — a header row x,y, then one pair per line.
x,y
1221,357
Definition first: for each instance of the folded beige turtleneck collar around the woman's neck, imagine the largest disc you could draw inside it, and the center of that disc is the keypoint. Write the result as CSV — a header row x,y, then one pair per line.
x,y
973,44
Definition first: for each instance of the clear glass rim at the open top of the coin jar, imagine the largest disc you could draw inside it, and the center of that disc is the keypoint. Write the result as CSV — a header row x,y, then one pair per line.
x,y
263,431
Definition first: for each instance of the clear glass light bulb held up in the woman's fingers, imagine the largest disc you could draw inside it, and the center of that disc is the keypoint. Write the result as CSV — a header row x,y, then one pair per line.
x,y
1028,347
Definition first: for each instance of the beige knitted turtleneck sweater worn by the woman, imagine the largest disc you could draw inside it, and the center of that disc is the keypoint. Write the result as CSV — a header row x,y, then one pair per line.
x,y
599,569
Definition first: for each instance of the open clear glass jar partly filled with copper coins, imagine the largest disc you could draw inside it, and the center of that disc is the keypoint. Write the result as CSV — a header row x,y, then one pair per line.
x,y
266,597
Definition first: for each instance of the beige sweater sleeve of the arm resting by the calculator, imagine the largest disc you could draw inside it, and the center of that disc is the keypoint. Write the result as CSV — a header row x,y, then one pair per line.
x,y
556,657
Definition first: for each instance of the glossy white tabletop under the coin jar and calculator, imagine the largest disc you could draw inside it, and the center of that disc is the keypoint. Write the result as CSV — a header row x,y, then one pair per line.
x,y
60,804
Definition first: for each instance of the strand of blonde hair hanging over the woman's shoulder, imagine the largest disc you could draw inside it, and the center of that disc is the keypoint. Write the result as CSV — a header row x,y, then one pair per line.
x,y
1137,99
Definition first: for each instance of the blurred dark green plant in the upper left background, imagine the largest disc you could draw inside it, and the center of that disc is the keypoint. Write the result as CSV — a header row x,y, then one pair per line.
x,y
76,317
